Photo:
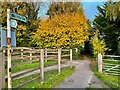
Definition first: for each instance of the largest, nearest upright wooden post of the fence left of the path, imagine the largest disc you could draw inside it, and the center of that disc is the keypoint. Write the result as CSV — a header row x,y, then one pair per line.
x,y
42,65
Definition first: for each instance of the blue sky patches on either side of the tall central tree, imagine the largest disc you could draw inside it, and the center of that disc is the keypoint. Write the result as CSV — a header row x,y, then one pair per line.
x,y
90,9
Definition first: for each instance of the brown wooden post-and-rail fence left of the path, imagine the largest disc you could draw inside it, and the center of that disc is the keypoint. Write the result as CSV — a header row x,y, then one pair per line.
x,y
23,55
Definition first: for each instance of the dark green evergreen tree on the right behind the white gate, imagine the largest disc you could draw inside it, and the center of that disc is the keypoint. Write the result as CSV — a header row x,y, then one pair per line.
x,y
109,29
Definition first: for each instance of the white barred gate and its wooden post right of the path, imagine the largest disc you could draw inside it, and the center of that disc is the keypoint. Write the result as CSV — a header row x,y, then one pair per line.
x,y
109,64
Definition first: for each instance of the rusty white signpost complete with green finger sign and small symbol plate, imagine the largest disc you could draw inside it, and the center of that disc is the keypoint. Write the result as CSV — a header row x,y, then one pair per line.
x,y
12,23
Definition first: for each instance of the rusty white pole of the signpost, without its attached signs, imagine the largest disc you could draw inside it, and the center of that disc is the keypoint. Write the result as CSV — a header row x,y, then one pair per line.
x,y
8,50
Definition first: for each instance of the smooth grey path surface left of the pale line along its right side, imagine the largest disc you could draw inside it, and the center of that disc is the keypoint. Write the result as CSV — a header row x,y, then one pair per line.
x,y
81,77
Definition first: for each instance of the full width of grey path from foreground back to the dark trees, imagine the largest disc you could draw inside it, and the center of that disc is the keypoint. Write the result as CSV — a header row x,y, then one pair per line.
x,y
83,77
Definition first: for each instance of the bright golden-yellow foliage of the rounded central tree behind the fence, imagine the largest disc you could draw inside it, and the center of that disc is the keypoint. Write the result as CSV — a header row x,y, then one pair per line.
x,y
62,31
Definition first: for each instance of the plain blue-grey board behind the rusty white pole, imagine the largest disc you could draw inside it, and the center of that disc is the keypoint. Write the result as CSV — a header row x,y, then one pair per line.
x,y
4,37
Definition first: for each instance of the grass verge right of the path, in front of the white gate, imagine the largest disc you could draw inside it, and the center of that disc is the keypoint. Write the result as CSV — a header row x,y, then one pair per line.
x,y
109,80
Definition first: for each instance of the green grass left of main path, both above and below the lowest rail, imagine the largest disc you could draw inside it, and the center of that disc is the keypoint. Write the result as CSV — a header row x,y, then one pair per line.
x,y
51,79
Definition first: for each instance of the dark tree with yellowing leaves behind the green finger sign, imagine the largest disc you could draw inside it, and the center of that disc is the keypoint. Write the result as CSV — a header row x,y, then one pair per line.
x,y
24,30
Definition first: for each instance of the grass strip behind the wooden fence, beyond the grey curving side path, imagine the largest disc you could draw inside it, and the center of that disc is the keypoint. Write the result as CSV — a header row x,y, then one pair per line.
x,y
32,65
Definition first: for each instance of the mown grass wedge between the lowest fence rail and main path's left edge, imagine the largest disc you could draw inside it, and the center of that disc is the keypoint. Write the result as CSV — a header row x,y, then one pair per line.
x,y
51,79
